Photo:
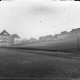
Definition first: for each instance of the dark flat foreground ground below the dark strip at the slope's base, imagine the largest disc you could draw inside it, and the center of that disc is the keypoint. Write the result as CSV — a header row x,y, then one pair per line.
x,y
30,64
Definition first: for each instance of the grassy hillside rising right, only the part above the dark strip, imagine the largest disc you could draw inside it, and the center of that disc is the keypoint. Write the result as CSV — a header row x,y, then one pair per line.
x,y
63,45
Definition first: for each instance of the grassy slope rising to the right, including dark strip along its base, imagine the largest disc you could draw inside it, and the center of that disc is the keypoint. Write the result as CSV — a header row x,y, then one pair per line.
x,y
66,45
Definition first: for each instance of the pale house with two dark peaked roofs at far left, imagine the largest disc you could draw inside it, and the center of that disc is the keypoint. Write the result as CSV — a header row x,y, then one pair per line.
x,y
7,39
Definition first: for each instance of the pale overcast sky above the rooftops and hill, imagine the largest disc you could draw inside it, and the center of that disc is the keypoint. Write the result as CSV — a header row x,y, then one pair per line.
x,y
35,18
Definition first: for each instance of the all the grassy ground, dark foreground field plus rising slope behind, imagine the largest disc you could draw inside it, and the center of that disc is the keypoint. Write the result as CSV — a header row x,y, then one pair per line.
x,y
40,60
